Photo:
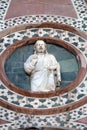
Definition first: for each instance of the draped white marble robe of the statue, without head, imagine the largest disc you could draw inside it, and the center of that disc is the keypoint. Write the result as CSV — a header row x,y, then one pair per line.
x,y
43,79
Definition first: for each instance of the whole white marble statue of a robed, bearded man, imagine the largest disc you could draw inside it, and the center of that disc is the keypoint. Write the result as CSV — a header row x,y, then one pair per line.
x,y
43,68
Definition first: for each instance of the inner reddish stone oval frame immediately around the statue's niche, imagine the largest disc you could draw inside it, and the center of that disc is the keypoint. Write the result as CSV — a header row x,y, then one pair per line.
x,y
80,58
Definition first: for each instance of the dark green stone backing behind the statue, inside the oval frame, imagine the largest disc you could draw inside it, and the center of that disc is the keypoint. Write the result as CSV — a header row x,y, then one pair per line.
x,y
14,66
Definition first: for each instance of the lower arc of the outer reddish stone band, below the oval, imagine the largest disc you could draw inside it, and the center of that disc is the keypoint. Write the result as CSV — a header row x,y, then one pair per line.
x,y
48,111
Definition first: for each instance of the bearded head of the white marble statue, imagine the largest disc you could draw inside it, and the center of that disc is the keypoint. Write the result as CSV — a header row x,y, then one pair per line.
x,y
40,46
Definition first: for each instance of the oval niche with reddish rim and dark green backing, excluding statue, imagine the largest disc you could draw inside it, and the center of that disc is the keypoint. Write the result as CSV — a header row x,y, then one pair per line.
x,y
71,61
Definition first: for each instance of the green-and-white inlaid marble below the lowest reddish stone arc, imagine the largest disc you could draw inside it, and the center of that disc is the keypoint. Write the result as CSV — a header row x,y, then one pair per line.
x,y
19,120
